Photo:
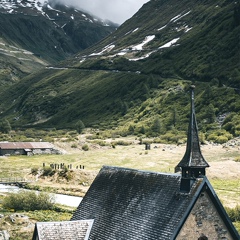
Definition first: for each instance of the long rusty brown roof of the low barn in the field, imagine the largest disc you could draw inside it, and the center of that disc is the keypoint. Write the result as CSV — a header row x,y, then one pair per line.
x,y
25,145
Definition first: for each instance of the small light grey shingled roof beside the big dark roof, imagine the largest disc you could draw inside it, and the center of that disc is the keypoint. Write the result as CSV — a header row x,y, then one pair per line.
x,y
71,230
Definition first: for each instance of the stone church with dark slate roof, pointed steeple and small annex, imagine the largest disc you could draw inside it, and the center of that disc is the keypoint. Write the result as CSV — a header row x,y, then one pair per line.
x,y
133,204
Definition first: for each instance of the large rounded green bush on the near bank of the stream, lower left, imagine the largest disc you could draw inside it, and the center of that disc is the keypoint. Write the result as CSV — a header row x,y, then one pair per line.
x,y
28,201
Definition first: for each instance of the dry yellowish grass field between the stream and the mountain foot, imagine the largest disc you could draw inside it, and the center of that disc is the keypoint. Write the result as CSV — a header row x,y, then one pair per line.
x,y
161,158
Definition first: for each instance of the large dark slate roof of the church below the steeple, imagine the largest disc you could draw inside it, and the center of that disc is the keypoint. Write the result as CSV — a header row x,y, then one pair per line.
x,y
132,204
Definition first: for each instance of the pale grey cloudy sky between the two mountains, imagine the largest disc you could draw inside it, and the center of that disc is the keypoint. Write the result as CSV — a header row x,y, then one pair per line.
x,y
117,11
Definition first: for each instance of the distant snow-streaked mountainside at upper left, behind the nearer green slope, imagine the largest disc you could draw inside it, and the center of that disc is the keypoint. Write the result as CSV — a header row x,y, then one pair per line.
x,y
34,35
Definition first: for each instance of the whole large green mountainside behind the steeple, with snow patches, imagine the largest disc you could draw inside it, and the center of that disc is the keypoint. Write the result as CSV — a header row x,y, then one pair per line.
x,y
137,78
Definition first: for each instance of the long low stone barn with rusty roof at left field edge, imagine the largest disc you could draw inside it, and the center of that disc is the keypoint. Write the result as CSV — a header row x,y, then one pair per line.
x,y
26,148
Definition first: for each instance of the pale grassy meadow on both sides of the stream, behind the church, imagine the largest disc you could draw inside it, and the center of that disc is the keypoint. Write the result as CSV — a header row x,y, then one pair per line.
x,y
224,171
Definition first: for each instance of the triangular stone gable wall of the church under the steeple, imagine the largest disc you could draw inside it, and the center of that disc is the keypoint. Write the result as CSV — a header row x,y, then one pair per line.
x,y
204,222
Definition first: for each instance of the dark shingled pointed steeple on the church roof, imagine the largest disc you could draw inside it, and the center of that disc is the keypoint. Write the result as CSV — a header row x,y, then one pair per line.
x,y
193,163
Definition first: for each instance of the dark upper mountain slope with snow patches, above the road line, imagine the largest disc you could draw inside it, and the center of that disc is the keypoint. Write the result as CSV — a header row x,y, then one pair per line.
x,y
192,40
